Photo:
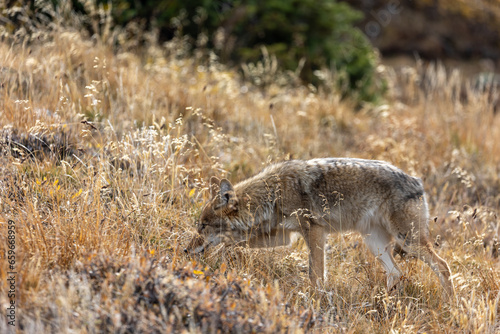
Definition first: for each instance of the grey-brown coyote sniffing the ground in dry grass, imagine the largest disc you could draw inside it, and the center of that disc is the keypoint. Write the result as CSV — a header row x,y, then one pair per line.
x,y
322,196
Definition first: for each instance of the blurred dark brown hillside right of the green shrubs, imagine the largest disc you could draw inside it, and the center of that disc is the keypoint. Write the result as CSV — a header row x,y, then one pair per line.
x,y
439,29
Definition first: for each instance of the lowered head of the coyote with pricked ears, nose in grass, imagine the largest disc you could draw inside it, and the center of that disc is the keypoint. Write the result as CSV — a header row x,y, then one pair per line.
x,y
219,218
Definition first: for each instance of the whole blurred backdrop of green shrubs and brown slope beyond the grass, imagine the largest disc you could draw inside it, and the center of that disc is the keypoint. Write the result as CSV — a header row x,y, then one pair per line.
x,y
321,42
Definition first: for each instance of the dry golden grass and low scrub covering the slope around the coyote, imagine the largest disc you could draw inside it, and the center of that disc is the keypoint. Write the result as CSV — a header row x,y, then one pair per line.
x,y
105,157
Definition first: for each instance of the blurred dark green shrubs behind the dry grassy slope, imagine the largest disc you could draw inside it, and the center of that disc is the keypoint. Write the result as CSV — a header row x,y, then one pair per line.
x,y
305,36
